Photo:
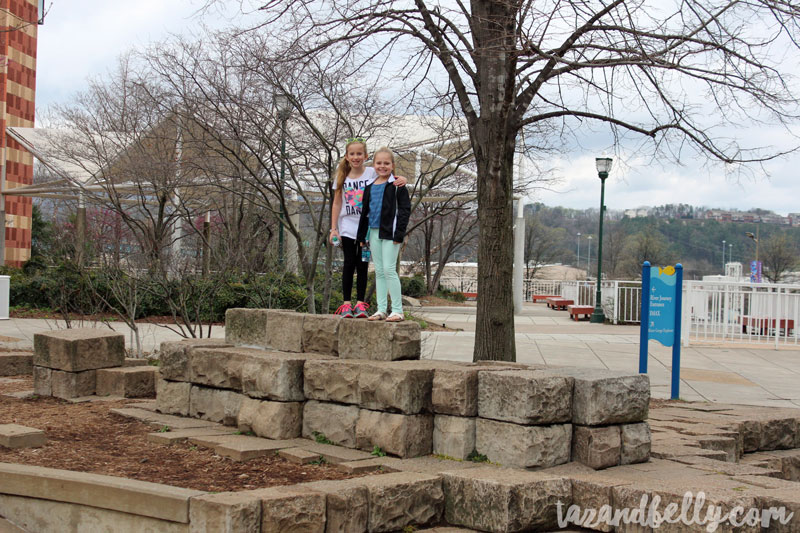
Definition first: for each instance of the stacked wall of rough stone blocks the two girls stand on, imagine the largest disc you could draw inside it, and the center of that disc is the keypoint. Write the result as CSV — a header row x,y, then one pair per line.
x,y
361,384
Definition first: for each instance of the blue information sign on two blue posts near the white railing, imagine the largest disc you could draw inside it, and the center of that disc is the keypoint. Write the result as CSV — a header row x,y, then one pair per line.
x,y
662,289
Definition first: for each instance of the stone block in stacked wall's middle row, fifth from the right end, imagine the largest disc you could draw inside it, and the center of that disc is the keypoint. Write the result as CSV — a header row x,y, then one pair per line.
x,y
332,380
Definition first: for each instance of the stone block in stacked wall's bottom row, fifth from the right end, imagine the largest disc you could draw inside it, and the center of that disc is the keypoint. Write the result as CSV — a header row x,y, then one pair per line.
x,y
401,435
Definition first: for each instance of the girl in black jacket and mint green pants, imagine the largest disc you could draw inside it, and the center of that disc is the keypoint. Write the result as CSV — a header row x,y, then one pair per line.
x,y
384,219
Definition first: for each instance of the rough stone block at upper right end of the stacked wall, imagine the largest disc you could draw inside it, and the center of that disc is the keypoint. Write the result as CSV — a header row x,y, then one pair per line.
x,y
602,397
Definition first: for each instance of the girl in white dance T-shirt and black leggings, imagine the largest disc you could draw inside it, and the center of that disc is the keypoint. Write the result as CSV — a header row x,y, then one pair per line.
x,y
352,178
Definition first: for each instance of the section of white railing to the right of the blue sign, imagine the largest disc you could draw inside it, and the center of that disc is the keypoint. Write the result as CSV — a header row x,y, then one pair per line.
x,y
740,312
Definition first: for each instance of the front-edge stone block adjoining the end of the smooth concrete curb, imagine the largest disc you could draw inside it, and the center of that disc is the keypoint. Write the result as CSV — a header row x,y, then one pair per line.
x,y
225,512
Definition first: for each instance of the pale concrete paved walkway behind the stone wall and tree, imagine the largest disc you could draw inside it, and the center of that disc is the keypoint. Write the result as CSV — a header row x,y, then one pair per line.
x,y
735,374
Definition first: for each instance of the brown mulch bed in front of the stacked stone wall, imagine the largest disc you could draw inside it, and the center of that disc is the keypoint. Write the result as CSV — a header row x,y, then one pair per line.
x,y
87,437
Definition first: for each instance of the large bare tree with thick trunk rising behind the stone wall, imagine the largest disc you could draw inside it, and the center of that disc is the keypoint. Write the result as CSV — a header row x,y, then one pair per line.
x,y
673,74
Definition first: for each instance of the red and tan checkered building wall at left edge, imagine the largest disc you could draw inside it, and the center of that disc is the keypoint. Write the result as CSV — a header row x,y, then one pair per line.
x,y
19,20
